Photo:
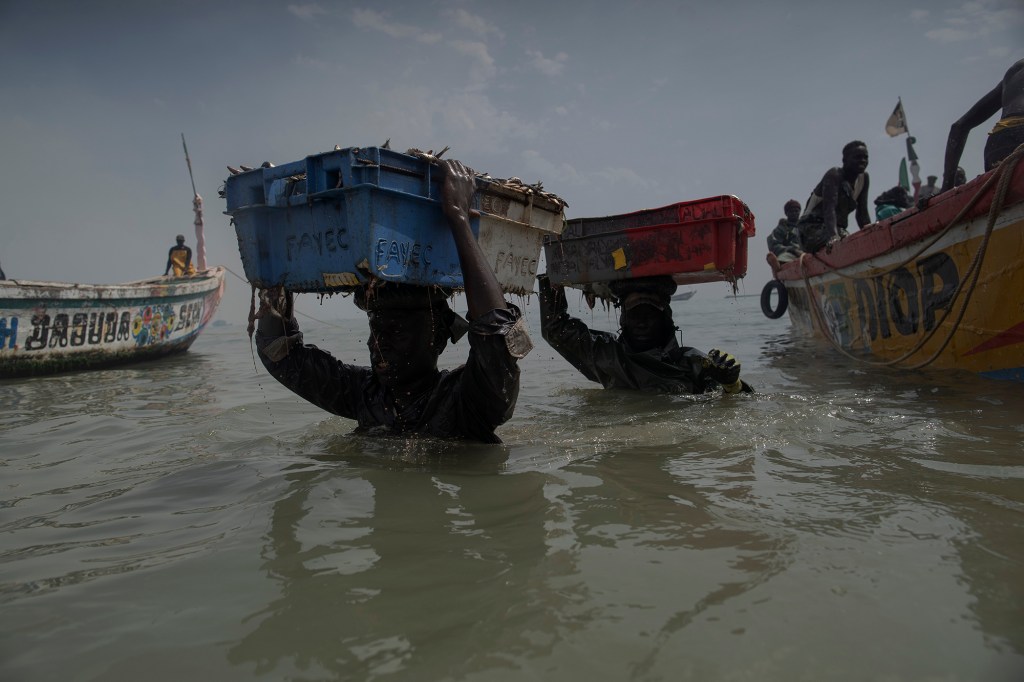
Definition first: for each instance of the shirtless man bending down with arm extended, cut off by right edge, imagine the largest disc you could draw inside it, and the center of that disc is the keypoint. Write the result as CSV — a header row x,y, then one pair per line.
x,y
1005,138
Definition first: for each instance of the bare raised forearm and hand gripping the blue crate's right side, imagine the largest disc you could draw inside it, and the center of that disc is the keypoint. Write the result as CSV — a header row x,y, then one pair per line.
x,y
483,291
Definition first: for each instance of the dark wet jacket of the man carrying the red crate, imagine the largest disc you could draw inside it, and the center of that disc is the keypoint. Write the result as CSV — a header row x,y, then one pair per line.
x,y
608,360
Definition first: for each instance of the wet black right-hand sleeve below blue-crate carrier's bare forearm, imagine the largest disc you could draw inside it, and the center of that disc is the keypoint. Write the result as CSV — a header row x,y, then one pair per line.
x,y
490,385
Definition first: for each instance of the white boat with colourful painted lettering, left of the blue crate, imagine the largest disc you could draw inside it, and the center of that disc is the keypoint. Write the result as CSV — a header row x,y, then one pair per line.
x,y
52,327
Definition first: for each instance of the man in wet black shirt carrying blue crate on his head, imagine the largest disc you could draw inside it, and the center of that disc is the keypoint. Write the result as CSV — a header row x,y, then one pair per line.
x,y
410,326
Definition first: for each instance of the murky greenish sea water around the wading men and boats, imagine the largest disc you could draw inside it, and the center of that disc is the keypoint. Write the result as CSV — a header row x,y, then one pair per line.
x,y
192,520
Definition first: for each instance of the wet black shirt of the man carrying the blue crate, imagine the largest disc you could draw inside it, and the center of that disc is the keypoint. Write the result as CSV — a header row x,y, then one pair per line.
x,y
470,402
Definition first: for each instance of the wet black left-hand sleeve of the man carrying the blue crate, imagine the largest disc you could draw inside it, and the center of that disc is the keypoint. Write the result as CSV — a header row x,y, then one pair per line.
x,y
311,373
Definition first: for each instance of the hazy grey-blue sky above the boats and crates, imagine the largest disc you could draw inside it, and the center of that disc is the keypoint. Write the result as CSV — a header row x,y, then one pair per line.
x,y
617,107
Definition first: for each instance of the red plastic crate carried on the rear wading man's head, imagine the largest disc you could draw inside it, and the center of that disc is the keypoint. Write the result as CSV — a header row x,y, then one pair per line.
x,y
694,242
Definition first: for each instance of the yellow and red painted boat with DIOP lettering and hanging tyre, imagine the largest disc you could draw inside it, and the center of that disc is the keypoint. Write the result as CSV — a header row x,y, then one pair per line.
x,y
941,287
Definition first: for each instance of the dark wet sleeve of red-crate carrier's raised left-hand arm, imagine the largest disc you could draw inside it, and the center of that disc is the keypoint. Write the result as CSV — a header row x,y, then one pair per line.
x,y
592,353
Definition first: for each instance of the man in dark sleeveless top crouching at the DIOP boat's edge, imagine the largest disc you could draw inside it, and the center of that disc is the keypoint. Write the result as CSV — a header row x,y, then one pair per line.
x,y
841,191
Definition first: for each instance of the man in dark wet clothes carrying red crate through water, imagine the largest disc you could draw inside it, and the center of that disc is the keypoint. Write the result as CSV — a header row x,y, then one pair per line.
x,y
646,356
